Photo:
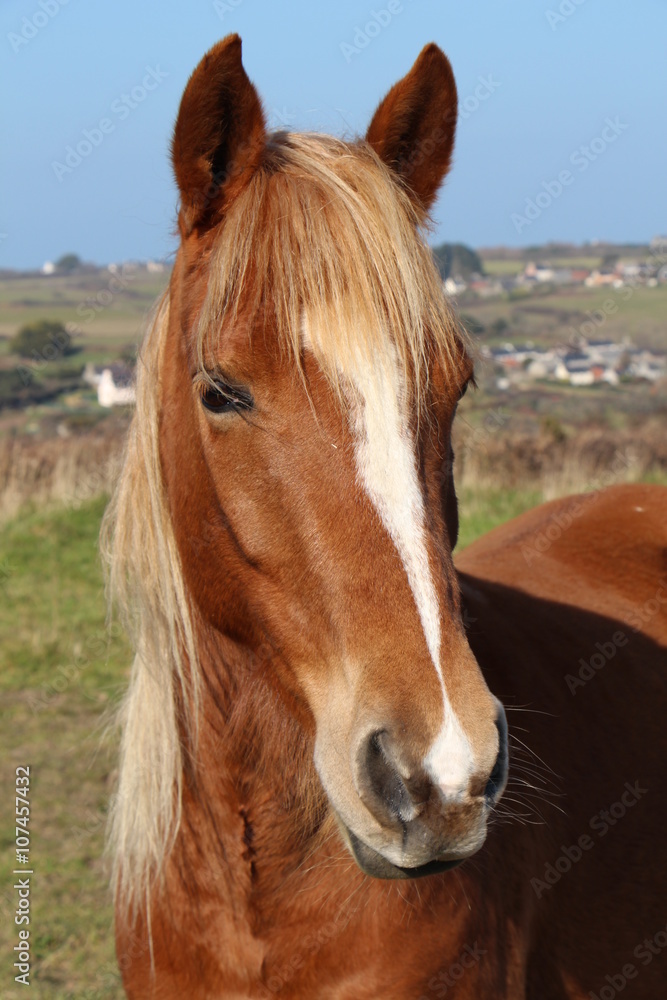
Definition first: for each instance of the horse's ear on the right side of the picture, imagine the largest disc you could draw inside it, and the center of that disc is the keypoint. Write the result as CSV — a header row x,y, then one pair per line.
x,y
413,128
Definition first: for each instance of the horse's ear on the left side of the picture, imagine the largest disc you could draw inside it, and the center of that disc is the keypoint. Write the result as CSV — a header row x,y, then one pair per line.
x,y
219,135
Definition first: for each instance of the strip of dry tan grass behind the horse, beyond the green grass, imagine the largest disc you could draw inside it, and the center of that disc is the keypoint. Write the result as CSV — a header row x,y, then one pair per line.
x,y
71,471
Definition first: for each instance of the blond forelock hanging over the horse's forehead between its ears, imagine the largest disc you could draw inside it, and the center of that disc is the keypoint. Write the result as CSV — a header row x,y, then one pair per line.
x,y
325,230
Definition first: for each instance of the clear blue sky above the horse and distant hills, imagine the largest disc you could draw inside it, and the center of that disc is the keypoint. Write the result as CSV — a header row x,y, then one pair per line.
x,y
557,73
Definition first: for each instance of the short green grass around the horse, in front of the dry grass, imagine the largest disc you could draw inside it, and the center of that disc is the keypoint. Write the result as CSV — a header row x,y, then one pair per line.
x,y
60,674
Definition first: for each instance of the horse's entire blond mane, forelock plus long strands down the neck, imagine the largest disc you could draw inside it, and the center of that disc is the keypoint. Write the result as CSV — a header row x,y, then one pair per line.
x,y
322,229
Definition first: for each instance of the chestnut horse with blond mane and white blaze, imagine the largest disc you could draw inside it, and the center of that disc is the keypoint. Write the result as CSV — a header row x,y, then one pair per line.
x,y
319,796
